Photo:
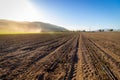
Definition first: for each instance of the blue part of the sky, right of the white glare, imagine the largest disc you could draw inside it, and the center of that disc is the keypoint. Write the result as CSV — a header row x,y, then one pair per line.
x,y
82,14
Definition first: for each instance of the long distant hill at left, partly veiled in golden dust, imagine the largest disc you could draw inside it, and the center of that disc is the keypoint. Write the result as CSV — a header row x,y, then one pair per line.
x,y
7,26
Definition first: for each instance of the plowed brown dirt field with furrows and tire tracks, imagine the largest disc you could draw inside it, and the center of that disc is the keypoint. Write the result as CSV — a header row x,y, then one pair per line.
x,y
63,56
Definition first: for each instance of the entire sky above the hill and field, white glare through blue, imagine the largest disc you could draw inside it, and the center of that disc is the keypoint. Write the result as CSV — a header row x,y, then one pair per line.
x,y
71,14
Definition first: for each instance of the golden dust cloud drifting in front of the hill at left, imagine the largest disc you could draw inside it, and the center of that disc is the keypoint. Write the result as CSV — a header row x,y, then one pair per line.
x,y
17,27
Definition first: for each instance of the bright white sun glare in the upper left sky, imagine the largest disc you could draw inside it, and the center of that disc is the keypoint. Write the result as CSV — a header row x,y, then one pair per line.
x,y
19,10
